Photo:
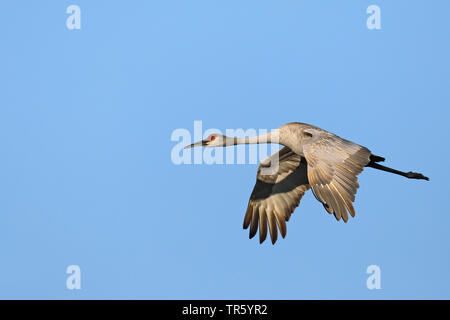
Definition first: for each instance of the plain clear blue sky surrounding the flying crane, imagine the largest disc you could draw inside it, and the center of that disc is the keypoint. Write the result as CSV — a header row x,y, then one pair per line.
x,y
86,176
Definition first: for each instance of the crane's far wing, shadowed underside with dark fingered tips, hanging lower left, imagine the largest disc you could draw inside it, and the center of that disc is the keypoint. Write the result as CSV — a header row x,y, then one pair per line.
x,y
276,195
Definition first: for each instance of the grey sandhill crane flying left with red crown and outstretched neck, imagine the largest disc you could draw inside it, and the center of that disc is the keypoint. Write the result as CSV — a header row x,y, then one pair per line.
x,y
311,158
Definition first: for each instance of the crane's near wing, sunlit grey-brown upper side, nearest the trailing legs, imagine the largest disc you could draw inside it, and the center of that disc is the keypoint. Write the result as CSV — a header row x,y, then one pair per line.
x,y
333,166
